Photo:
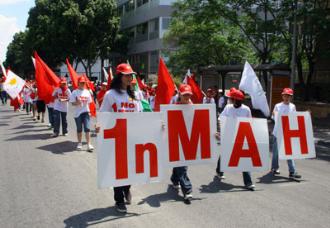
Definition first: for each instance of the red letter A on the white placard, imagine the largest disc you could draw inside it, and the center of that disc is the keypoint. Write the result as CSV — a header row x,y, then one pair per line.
x,y
245,132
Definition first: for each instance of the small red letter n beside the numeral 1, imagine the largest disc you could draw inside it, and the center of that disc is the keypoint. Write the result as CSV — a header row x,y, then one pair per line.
x,y
139,158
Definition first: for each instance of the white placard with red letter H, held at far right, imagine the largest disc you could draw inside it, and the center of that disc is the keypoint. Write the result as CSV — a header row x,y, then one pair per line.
x,y
295,139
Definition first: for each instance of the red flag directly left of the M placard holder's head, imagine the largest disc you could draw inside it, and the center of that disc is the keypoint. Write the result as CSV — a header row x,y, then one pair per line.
x,y
165,88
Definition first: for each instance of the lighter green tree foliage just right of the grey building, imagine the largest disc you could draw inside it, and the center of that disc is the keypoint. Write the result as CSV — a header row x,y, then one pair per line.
x,y
201,38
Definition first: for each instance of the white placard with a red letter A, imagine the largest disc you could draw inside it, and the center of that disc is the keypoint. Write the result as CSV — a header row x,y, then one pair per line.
x,y
244,144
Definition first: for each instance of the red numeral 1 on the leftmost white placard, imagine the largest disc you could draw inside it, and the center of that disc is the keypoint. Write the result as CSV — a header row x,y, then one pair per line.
x,y
119,133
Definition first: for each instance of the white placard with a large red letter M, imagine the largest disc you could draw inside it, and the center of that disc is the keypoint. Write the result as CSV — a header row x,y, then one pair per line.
x,y
190,134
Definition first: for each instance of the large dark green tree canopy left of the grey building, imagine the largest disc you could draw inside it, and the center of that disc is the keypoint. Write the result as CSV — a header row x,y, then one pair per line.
x,y
82,30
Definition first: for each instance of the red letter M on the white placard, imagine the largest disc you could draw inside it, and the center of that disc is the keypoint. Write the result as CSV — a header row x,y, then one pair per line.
x,y
200,132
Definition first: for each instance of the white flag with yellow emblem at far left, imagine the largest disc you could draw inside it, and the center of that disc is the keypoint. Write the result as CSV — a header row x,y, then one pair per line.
x,y
13,84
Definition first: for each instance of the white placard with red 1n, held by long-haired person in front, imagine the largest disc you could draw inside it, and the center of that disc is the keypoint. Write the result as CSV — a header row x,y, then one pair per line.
x,y
130,148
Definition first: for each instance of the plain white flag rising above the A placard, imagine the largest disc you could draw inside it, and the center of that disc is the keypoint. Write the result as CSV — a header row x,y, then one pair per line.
x,y
251,85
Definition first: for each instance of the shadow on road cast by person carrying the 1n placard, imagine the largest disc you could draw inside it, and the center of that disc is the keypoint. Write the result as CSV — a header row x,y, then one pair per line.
x,y
96,216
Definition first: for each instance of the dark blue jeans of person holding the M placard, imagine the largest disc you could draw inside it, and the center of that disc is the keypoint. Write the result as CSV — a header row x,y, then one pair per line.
x,y
179,175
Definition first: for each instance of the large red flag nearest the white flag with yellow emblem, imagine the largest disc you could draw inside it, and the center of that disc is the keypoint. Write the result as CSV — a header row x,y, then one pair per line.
x,y
46,80
